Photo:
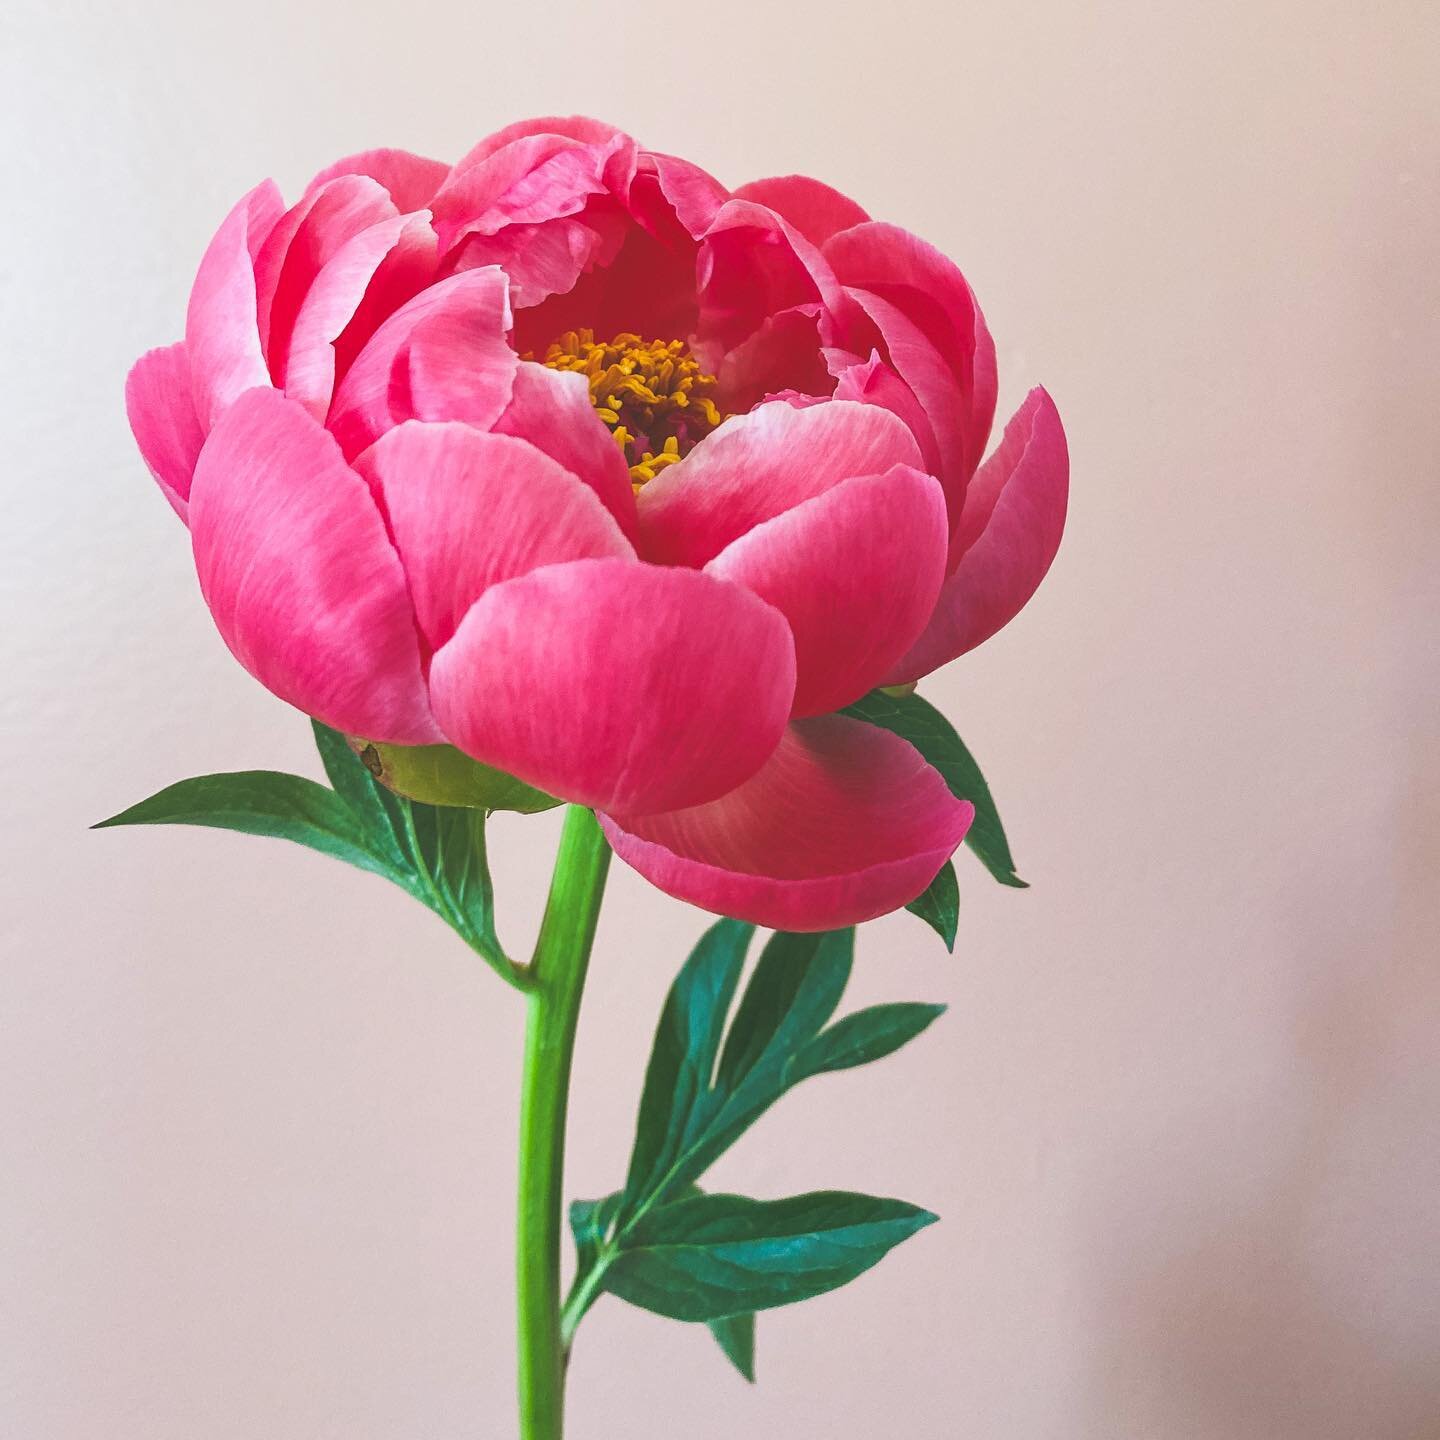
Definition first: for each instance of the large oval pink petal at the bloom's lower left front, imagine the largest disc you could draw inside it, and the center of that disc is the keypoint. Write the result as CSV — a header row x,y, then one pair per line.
x,y
300,577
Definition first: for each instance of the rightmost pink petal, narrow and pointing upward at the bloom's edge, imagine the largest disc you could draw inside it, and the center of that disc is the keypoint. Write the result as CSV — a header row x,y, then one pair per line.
x,y
1009,535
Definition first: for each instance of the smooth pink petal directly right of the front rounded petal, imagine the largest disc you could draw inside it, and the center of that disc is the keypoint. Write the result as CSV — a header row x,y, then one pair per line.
x,y
856,572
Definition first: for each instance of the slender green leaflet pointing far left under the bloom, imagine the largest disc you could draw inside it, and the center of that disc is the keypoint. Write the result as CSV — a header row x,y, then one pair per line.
x,y
266,803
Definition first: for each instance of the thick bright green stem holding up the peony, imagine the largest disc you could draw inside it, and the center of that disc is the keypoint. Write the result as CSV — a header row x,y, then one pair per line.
x,y
557,984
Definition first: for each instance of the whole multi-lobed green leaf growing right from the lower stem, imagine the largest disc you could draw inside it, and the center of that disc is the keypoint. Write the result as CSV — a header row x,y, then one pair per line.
x,y
667,1246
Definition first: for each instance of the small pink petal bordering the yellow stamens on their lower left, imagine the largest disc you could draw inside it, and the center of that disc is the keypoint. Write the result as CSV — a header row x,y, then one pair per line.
x,y
552,411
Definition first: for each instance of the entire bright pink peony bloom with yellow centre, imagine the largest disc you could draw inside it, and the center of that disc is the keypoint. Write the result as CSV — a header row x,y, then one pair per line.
x,y
618,482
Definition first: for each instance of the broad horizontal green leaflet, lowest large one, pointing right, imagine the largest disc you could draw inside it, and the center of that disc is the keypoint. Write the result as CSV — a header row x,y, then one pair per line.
x,y
716,1256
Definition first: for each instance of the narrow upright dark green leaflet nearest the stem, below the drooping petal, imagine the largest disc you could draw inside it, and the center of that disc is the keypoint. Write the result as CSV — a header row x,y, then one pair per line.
x,y
685,1053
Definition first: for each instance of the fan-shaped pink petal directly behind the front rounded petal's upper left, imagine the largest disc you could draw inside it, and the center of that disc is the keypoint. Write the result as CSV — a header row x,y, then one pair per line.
x,y
472,510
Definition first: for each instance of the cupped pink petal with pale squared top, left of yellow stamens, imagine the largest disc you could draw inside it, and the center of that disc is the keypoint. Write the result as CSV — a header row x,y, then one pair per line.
x,y
440,358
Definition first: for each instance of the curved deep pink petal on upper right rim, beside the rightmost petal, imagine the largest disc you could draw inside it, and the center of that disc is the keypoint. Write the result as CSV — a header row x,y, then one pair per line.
x,y
934,335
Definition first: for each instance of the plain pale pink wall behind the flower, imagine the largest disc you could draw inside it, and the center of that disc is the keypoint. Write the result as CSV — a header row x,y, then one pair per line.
x,y
257,1111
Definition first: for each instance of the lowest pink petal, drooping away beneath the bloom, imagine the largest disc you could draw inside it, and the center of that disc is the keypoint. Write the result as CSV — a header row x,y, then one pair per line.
x,y
843,824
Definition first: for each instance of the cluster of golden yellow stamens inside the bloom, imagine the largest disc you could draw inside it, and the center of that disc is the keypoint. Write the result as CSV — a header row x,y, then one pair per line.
x,y
653,395
